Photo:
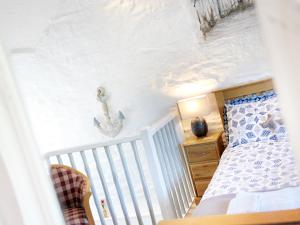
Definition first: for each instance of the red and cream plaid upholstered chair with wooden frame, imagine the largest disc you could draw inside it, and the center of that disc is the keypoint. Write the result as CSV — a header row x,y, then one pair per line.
x,y
73,192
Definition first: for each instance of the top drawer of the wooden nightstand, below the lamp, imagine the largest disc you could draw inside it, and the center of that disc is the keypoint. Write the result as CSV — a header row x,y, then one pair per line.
x,y
201,153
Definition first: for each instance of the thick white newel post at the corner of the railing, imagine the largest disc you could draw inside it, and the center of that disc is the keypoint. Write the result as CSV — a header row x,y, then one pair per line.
x,y
157,176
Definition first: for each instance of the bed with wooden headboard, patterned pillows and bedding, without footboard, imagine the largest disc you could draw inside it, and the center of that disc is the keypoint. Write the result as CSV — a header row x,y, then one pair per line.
x,y
258,164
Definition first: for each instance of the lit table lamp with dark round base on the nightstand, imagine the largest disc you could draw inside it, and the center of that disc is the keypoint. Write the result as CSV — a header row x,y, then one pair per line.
x,y
195,108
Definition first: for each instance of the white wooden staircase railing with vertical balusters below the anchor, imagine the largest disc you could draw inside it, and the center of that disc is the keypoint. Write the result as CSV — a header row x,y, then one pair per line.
x,y
142,178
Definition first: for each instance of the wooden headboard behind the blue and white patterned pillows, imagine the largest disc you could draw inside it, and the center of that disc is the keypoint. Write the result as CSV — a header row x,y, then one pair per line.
x,y
238,91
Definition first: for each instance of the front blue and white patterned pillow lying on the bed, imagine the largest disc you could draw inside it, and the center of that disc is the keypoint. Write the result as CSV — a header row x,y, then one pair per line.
x,y
255,121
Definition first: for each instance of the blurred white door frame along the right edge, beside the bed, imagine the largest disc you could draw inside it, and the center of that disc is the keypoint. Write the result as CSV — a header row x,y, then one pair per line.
x,y
280,23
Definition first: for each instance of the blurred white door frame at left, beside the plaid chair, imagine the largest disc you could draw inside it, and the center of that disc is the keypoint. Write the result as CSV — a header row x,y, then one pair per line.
x,y
27,195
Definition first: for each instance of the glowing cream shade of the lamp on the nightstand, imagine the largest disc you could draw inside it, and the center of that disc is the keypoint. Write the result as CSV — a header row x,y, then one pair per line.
x,y
194,107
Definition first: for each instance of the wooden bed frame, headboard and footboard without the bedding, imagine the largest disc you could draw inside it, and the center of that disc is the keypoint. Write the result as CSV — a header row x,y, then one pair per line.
x,y
268,218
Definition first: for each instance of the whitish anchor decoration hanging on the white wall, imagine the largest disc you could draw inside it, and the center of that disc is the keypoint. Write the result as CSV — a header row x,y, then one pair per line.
x,y
108,125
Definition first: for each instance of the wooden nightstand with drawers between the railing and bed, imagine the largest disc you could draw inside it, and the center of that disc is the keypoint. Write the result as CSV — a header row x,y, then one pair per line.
x,y
203,155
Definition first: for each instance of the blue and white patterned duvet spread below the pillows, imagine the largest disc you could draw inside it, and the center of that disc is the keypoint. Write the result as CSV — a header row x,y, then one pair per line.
x,y
254,167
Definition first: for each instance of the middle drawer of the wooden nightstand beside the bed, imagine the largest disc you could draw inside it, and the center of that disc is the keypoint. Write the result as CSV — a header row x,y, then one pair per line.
x,y
203,170
